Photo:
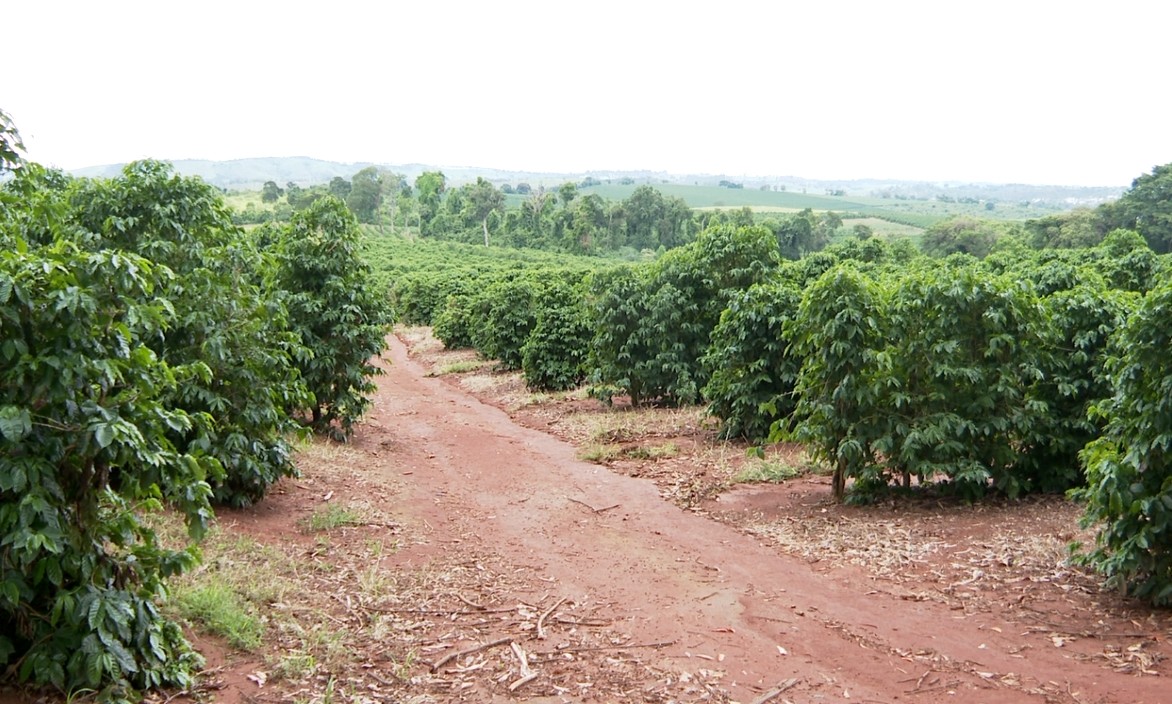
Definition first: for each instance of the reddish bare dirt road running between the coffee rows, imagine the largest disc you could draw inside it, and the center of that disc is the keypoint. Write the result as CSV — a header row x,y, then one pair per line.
x,y
691,593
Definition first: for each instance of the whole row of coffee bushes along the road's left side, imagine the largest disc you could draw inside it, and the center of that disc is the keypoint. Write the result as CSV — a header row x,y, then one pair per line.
x,y
152,352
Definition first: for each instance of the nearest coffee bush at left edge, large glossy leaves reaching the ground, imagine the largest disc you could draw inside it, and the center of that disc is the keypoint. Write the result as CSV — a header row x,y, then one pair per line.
x,y
85,450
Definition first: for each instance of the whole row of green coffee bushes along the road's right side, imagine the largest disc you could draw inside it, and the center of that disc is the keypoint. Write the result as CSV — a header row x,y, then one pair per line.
x,y
971,377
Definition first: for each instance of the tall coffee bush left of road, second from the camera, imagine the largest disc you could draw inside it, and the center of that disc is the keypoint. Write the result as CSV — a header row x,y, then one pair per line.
x,y
228,319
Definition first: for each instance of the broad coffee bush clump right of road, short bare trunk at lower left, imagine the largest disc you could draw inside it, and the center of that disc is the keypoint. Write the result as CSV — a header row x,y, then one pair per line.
x,y
941,373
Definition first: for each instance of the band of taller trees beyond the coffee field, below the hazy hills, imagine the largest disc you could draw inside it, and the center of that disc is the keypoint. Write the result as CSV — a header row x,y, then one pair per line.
x,y
573,220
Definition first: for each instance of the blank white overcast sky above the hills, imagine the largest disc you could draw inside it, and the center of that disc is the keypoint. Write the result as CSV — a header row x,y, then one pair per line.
x,y
1023,92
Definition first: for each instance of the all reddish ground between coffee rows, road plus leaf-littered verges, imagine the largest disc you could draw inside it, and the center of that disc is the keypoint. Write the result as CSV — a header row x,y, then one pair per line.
x,y
482,561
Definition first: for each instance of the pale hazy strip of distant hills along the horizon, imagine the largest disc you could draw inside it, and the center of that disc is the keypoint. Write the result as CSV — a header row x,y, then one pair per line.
x,y
249,175
